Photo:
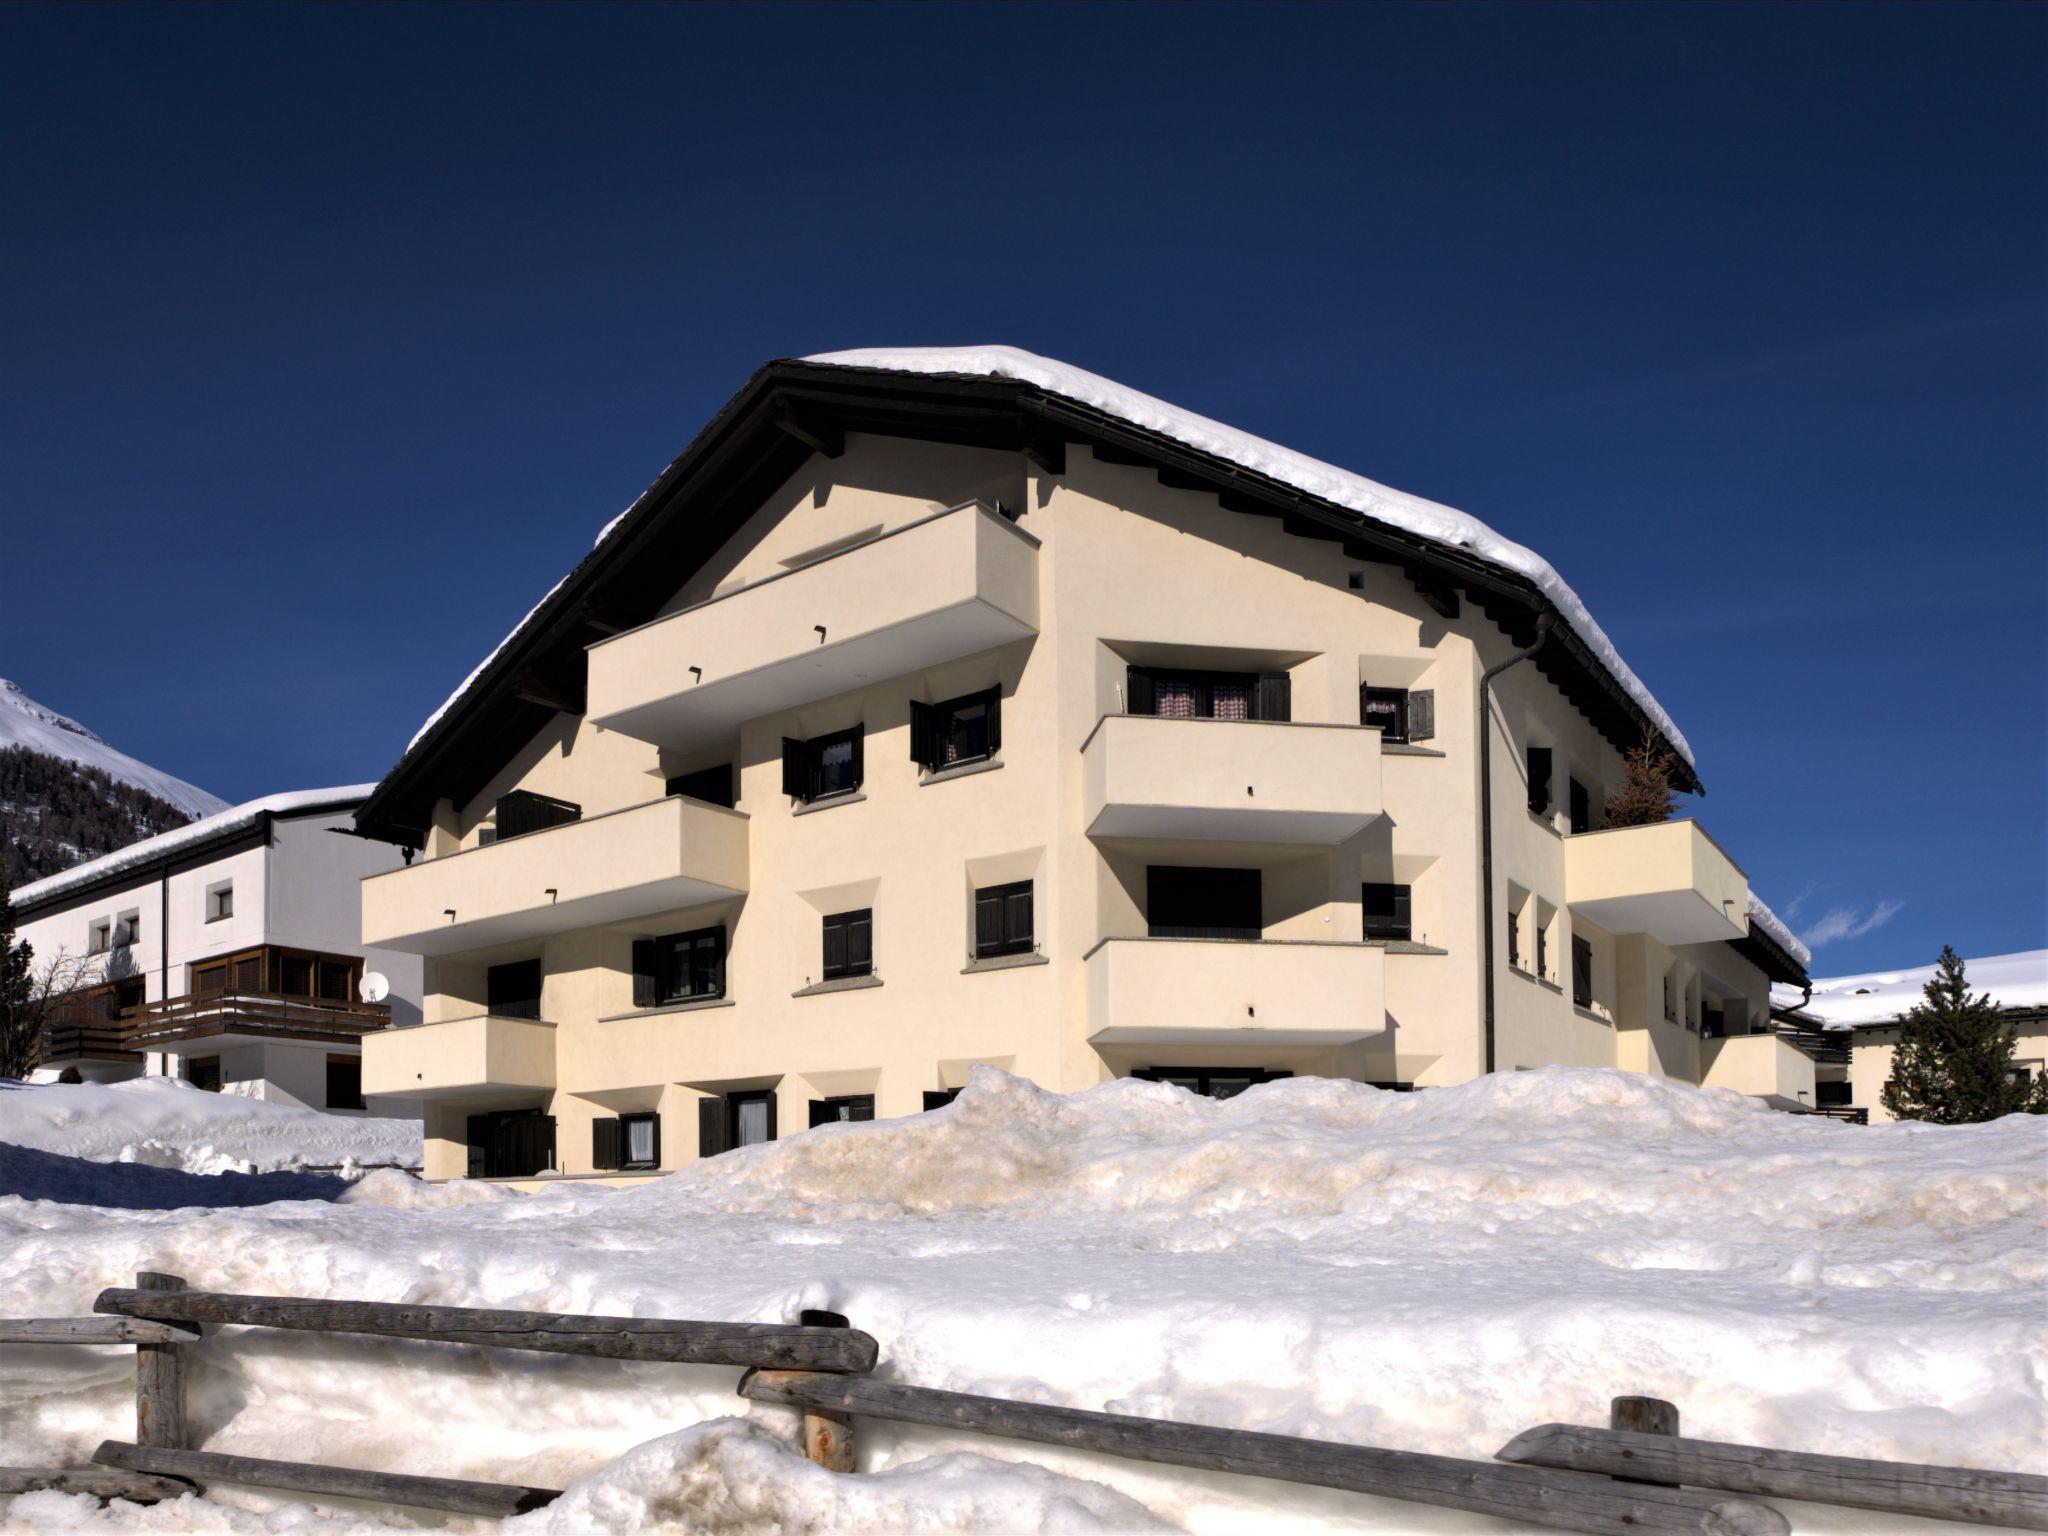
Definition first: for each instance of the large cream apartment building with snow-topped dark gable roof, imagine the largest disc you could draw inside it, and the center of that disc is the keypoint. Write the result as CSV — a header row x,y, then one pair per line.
x,y
941,710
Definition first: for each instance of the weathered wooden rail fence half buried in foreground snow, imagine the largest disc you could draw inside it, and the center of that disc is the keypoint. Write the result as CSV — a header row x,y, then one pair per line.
x,y
1637,1478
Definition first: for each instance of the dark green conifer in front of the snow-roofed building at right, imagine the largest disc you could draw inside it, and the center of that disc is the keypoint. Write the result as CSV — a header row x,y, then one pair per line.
x,y
1955,1060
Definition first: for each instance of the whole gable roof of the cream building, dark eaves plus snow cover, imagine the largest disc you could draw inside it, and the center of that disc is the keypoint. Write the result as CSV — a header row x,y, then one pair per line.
x,y
990,398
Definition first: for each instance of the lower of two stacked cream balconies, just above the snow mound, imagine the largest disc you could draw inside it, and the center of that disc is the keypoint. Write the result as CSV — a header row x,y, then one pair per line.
x,y
1234,992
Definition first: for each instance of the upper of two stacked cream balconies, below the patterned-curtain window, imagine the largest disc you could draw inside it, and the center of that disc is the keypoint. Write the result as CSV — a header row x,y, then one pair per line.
x,y
1240,781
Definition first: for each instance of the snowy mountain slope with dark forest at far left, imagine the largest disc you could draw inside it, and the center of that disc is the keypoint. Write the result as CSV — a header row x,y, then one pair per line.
x,y
69,798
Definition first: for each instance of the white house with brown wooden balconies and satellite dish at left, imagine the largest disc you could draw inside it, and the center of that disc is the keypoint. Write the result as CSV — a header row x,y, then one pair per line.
x,y
224,953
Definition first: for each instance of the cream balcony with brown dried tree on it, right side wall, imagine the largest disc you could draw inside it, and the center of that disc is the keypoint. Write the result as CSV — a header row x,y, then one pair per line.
x,y
1670,882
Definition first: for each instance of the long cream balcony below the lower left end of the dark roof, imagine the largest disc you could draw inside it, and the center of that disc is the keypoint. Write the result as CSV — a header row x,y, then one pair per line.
x,y
605,869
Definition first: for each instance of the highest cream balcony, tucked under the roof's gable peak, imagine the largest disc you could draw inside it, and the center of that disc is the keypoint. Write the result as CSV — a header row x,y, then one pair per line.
x,y
933,591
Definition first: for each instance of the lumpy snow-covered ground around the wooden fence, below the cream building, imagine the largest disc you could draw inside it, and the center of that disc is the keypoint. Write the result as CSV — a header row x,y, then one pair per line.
x,y
1426,1271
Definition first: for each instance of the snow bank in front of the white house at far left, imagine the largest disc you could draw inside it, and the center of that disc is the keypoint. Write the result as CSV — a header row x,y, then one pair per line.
x,y
169,1123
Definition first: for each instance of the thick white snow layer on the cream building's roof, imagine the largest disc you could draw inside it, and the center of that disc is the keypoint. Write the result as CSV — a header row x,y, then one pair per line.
x,y
1433,521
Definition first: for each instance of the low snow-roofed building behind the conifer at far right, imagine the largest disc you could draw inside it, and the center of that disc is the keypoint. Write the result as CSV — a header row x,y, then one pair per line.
x,y
1865,1015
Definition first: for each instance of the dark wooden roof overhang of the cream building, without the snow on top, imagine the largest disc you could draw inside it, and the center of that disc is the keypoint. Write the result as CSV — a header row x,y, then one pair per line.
x,y
792,411
